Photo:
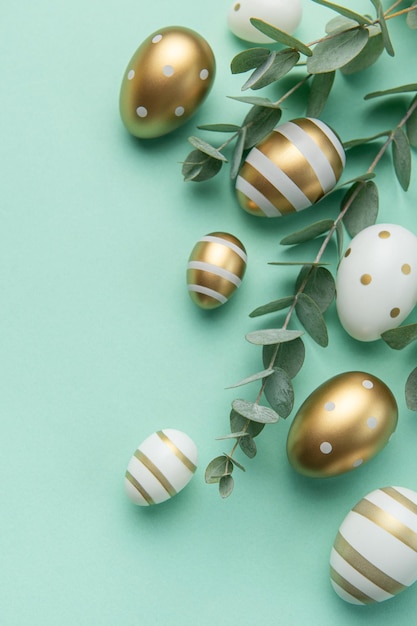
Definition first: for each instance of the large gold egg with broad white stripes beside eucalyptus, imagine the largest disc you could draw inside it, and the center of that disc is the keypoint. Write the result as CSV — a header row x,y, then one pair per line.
x,y
291,169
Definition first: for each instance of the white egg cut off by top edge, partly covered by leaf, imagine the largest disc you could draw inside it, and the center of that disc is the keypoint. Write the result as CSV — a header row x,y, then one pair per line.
x,y
283,14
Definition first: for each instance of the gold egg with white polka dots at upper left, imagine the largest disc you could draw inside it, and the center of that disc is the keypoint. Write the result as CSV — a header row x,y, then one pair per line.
x,y
165,81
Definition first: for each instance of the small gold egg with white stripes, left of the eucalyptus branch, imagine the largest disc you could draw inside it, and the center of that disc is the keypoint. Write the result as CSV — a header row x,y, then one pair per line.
x,y
215,269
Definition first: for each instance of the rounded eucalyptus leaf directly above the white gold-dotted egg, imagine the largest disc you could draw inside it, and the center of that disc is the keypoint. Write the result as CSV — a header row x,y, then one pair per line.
x,y
363,211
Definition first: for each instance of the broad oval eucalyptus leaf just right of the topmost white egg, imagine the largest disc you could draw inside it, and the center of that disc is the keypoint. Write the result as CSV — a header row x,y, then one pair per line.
x,y
333,53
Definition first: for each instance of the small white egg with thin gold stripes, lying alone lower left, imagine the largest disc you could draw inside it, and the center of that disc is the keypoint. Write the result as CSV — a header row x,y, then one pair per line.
x,y
161,466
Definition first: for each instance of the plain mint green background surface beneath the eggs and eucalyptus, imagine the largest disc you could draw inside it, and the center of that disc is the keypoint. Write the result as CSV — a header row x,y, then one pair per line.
x,y
101,345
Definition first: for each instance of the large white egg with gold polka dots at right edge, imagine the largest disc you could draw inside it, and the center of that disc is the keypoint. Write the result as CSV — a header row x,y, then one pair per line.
x,y
376,282
